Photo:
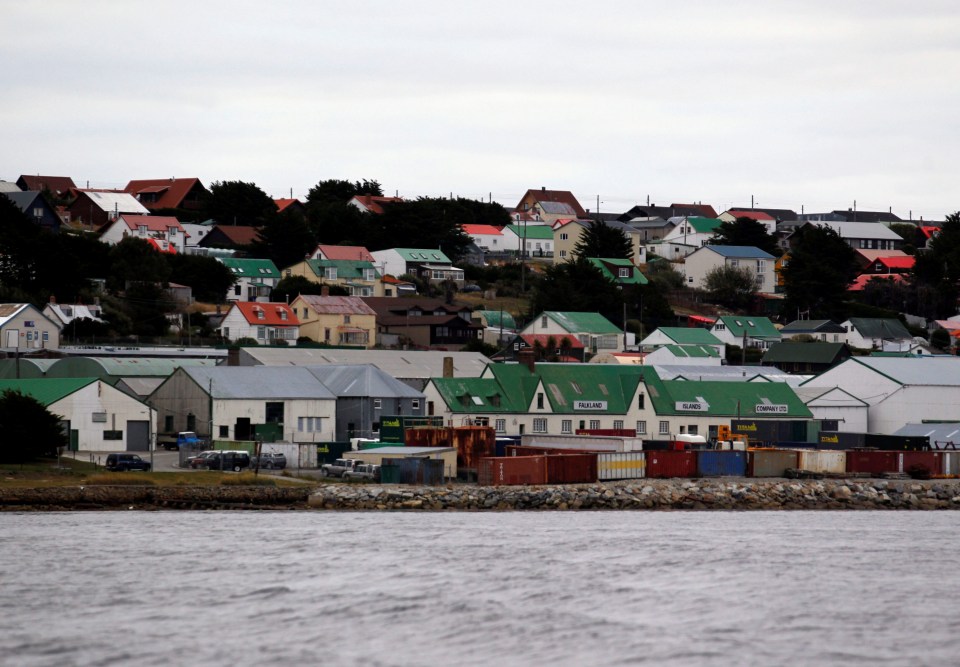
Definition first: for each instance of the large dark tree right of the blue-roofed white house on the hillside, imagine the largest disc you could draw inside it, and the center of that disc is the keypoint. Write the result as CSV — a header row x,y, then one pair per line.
x,y
820,268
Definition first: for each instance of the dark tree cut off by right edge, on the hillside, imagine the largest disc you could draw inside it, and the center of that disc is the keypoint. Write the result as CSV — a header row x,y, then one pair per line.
x,y
938,269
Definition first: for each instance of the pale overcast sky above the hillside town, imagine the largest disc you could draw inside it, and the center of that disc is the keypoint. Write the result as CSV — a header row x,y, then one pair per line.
x,y
812,104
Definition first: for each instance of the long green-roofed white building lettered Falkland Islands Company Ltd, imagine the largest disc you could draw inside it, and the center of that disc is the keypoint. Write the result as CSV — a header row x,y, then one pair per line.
x,y
564,398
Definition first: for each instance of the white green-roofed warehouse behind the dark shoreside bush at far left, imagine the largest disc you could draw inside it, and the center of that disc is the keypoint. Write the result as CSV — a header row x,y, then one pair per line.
x,y
98,416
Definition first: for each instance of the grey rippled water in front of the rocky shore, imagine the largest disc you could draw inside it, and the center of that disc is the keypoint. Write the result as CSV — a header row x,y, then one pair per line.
x,y
305,588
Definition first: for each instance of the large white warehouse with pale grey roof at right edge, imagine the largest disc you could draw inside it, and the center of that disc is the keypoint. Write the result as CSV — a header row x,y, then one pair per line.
x,y
898,390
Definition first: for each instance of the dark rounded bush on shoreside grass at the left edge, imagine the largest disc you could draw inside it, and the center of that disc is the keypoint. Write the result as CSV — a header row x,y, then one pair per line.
x,y
30,430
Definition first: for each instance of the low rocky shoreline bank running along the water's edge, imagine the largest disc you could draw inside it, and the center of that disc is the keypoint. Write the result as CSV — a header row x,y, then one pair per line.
x,y
673,494
